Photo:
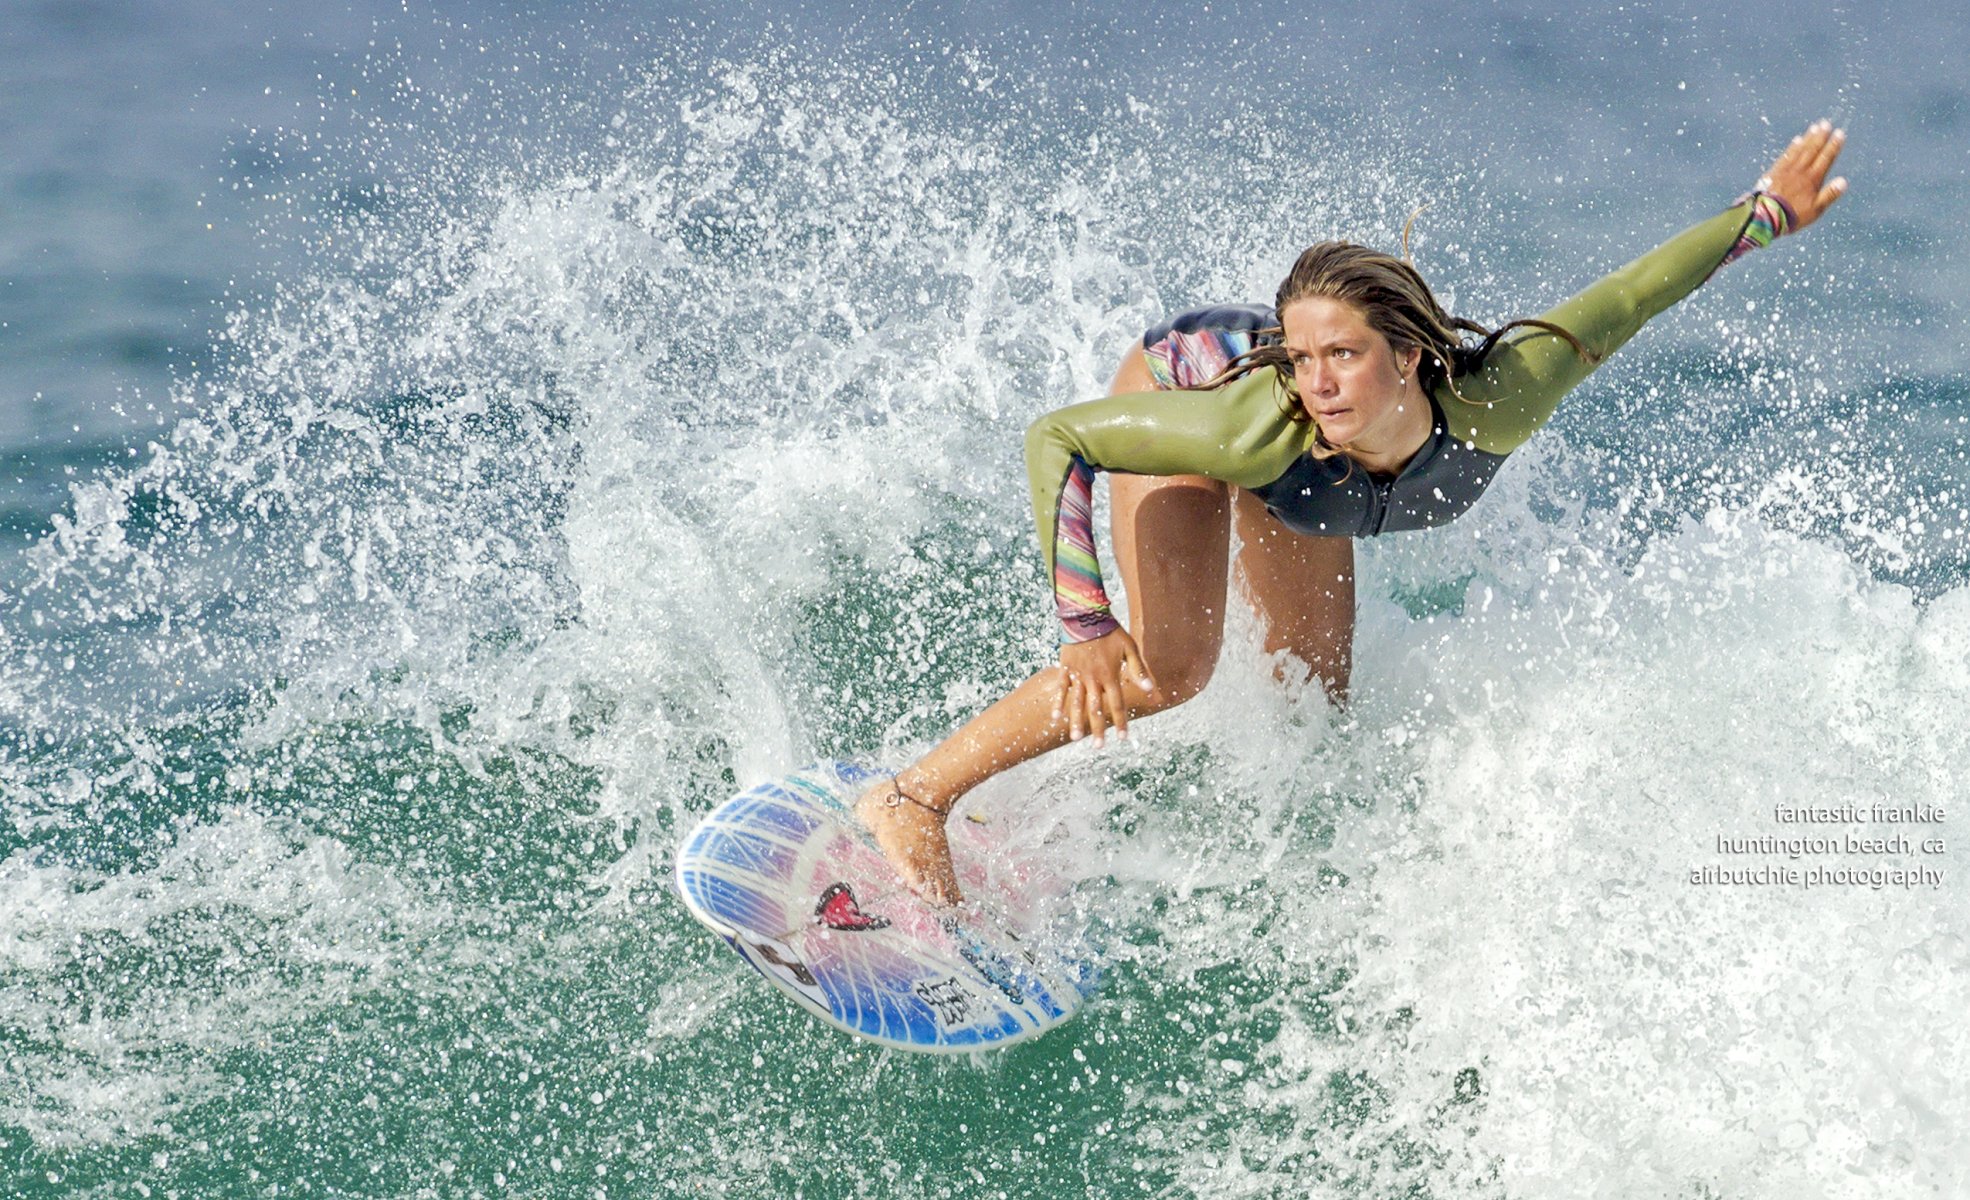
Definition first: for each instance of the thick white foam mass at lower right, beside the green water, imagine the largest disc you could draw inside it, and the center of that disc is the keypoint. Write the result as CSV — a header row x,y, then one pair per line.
x,y
1543,771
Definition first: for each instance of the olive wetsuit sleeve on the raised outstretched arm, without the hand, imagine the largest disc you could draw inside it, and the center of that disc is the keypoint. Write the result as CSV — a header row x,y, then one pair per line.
x,y
1524,377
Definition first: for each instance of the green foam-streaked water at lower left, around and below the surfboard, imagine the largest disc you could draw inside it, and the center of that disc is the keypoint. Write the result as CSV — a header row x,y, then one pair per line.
x,y
346,967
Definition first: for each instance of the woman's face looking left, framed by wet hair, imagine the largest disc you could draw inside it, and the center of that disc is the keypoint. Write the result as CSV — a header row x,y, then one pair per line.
x,y
1352,381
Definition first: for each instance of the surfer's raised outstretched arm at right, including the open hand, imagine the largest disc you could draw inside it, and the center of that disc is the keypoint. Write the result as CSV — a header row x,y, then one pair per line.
x,y
1524,381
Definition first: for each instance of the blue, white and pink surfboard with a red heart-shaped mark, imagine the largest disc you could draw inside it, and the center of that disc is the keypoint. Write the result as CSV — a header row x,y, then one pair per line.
x,y
797,888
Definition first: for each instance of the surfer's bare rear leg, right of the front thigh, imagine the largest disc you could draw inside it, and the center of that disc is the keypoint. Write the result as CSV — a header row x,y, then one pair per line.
x,y
1303,590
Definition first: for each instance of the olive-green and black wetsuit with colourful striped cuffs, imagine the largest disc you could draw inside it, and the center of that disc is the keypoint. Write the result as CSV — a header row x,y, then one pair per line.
x,y
1246,431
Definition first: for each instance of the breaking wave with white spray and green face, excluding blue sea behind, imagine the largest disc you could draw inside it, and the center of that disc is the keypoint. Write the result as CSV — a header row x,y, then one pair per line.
x,y
348,736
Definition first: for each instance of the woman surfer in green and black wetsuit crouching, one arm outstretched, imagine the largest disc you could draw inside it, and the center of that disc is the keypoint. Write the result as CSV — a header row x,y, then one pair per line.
x,y
1350,409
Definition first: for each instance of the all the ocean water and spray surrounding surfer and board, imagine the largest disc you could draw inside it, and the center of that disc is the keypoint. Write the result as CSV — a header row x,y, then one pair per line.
x,y
450,450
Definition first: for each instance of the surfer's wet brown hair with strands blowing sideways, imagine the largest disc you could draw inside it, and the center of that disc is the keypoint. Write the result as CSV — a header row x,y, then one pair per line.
x,y
1396,304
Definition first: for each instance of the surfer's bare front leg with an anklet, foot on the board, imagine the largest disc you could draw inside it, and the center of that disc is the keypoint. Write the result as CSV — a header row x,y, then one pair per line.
x,y
1173,541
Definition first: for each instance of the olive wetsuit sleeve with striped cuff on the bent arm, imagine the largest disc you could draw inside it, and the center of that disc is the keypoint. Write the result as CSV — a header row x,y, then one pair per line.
x,y
1238,434
